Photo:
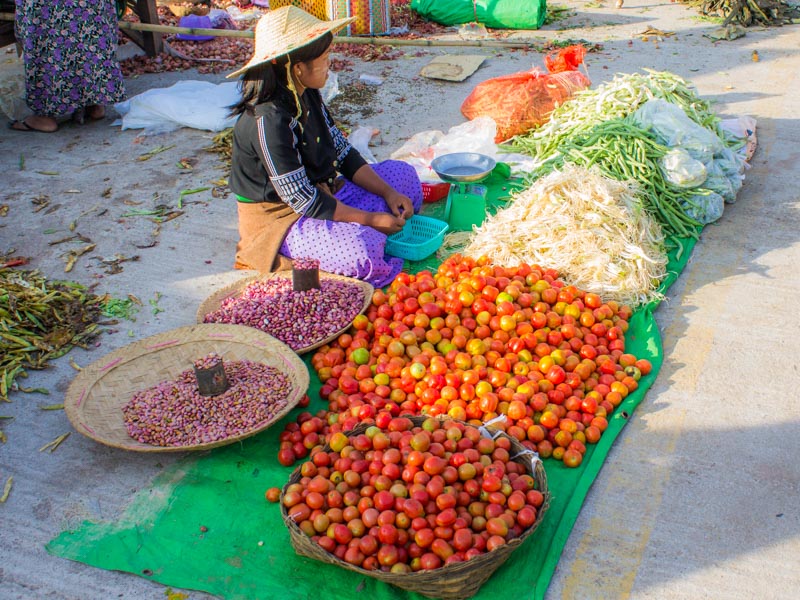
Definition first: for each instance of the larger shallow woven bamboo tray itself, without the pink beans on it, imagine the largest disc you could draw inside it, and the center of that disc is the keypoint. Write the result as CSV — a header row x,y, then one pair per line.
x,y
96,396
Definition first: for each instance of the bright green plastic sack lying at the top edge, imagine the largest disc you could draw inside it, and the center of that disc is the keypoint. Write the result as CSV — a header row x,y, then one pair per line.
x,y
496,14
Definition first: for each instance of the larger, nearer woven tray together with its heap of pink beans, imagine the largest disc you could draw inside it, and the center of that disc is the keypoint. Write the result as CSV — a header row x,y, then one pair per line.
x,y
146,396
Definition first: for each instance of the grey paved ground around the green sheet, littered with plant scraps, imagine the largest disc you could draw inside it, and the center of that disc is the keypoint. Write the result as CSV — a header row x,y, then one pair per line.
x,y
699,496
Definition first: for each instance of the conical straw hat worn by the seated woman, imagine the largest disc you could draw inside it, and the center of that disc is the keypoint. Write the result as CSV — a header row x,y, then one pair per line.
x,y
285,29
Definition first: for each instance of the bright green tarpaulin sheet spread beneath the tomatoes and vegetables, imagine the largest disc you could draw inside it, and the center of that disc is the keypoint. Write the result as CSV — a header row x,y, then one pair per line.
x,y
204,523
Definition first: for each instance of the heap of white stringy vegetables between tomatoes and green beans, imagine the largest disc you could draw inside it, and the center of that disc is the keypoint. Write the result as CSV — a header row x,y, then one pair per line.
x,y
590,228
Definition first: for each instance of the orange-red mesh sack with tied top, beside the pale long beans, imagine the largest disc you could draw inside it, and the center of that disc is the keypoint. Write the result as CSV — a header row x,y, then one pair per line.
x,y
522,101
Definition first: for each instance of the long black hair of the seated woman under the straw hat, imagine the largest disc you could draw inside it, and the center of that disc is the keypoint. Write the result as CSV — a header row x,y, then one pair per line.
x,y
264,82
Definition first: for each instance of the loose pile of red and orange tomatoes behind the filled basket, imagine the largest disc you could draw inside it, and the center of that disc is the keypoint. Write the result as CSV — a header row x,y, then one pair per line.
x,y
476,341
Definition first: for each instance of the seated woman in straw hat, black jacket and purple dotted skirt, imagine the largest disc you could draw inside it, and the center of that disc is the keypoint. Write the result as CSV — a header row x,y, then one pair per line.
x,y
303,190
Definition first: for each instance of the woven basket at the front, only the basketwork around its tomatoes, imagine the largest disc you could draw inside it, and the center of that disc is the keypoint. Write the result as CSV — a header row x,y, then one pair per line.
x,y
450,582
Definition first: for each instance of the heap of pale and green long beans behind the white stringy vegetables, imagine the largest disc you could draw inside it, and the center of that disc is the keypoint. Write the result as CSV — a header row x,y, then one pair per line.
x,y
604,128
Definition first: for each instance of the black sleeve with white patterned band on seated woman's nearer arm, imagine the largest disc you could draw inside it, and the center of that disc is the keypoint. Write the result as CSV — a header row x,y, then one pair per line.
x,y
278,148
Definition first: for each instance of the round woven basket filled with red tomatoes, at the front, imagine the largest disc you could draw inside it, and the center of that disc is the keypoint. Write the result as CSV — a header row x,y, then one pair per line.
x,y
430,505
